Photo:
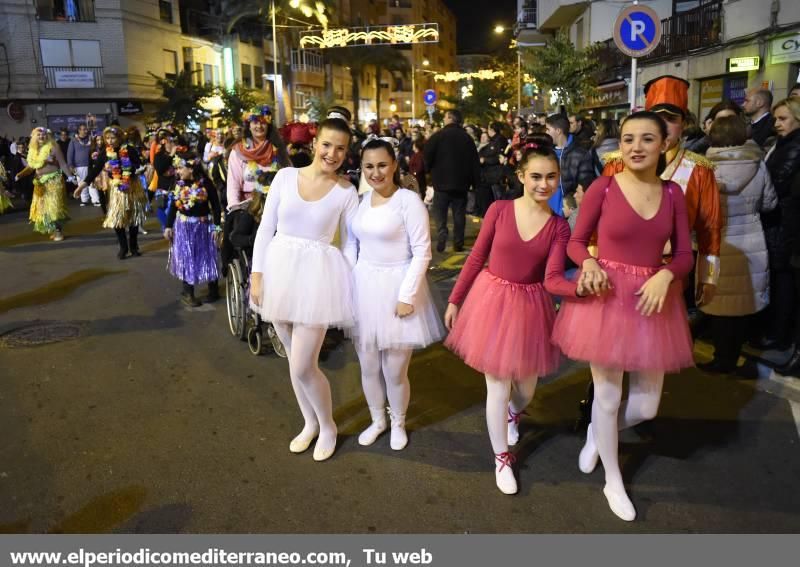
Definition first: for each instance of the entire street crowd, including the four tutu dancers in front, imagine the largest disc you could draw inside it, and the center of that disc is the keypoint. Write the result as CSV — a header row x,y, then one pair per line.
x,y
607,243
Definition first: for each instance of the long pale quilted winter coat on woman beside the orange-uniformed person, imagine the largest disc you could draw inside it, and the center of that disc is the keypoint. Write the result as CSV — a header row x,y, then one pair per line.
x,y
745,191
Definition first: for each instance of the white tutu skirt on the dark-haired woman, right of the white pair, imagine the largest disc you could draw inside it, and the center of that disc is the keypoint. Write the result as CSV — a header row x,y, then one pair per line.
x,y
377,327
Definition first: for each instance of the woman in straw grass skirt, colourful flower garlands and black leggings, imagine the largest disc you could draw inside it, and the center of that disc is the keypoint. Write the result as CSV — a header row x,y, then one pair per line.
x,y
116,173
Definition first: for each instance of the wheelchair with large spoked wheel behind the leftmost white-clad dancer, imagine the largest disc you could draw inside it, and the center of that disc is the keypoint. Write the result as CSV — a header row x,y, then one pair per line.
x,y
244,323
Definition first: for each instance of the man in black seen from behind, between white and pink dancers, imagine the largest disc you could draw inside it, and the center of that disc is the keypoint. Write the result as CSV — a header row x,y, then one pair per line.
x,y
452,159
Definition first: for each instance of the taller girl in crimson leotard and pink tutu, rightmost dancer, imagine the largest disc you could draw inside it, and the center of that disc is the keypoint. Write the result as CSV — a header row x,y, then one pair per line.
x,y
639,324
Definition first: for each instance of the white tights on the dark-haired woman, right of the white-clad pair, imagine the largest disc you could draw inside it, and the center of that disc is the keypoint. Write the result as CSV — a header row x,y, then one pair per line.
x,y
393,365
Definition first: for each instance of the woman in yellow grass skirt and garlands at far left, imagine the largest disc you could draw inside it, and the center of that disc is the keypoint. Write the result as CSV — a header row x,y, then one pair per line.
x,y
48,208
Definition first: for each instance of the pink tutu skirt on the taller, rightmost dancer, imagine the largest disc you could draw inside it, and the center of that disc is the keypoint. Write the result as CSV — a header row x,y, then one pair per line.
x,y
608,331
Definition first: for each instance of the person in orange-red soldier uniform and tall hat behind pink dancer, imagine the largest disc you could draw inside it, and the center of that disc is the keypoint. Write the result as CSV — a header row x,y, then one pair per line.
x,y
669,97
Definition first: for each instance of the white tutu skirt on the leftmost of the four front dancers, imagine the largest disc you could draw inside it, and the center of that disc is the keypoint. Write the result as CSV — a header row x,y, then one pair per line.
x,y
306,282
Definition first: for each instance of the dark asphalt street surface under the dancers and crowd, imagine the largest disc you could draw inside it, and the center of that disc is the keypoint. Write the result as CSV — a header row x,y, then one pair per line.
x,y
152,418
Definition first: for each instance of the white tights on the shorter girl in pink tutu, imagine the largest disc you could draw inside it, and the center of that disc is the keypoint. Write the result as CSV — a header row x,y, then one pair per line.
x,y
499,393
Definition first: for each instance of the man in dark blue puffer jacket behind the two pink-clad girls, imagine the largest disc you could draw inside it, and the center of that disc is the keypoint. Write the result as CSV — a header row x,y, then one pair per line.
x,y
576,161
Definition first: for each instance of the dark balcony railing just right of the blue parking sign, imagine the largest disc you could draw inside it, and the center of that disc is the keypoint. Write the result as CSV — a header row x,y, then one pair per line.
x,y
690,30
